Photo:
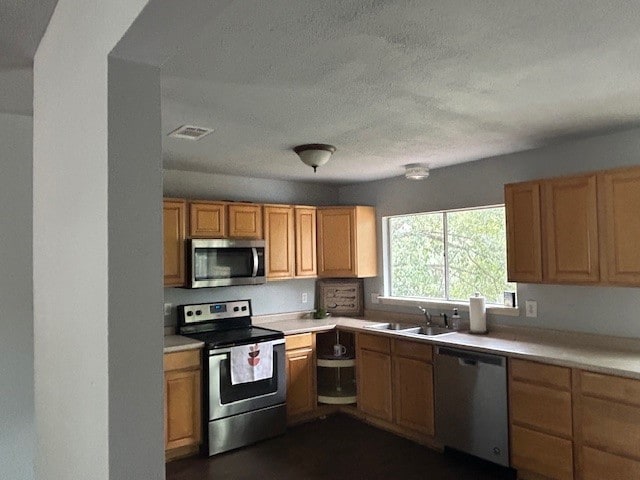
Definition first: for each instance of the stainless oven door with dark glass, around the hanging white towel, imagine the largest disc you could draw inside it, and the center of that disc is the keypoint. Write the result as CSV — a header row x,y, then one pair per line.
x,y
226,399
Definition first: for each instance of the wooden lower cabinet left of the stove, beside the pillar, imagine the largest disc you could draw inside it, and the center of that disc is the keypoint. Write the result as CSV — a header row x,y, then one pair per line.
x,y
182,402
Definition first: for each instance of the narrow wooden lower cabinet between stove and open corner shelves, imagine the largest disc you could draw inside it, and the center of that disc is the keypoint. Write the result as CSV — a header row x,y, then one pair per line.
x,y
300,371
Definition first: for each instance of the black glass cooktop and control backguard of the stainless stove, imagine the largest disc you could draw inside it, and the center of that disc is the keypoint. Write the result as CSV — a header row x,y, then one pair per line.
x,y
222,324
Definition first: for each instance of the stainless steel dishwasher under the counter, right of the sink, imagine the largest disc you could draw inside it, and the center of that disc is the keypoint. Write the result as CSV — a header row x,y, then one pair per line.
x,y
471,403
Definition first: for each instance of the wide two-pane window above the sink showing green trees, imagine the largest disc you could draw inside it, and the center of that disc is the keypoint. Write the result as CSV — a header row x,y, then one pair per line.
x,y
448,255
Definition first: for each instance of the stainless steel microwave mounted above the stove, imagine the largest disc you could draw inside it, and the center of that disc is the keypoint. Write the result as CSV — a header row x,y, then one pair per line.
x,y
220,262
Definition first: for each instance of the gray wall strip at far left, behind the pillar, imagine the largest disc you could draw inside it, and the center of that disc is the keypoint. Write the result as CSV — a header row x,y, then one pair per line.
x,y
17,438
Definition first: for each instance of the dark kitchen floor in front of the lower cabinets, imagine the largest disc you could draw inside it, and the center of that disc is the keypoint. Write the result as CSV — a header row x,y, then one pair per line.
x,y
338,448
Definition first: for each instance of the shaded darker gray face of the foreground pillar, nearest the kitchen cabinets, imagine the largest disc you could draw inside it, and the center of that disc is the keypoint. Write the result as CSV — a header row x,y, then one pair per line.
x,y
135,273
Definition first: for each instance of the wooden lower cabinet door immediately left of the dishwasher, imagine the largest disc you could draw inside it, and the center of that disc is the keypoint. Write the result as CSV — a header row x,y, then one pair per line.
x,y
413,394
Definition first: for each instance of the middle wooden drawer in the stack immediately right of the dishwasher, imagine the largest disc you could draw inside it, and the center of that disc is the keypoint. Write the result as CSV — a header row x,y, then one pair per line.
x,y
541,407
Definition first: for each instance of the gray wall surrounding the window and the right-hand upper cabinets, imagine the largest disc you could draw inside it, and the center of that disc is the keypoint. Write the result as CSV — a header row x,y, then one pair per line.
x,y
606,310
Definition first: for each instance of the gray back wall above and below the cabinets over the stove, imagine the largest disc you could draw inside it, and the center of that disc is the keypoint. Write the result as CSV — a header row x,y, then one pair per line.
x,y
272,297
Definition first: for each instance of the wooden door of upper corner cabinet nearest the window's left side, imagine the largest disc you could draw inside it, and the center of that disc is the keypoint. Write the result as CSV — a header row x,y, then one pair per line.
x,y
336,242
